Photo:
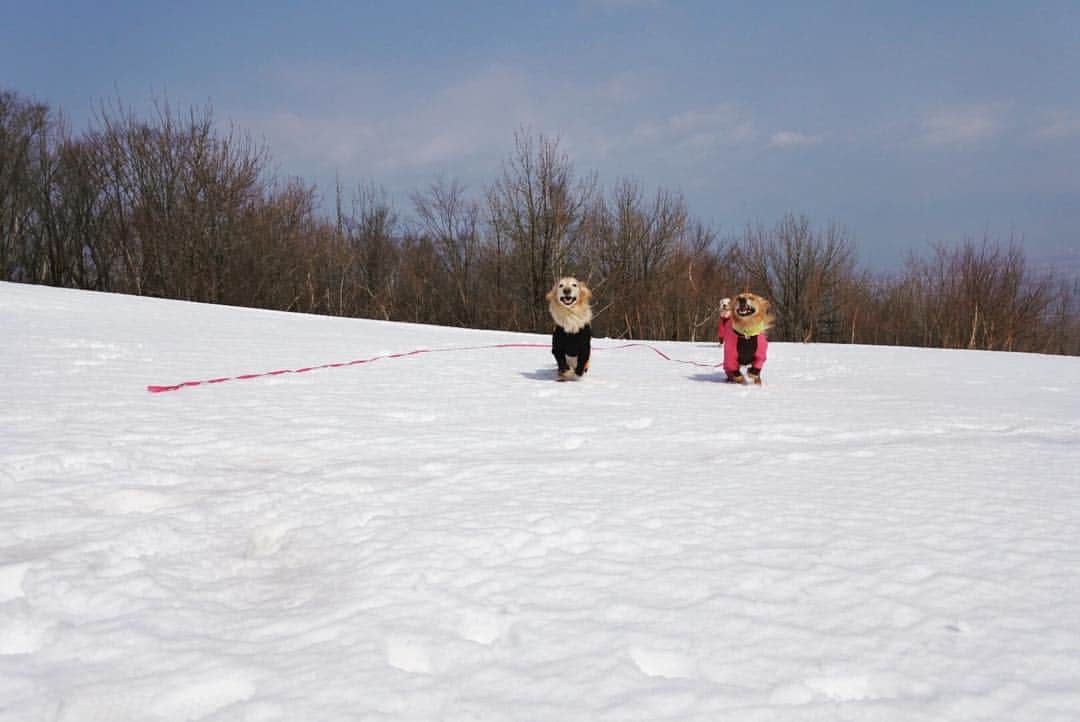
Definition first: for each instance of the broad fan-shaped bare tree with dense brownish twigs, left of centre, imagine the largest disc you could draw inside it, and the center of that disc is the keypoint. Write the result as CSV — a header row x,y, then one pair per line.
x,y
182,188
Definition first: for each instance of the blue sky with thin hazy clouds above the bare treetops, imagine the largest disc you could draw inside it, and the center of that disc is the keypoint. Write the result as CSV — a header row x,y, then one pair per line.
x,y
906,122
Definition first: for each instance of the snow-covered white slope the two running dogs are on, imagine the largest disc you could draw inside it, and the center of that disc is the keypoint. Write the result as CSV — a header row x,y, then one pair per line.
x,y
875,535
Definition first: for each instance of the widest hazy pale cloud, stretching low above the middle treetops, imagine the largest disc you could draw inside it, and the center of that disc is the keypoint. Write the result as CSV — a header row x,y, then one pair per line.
x,y
359,125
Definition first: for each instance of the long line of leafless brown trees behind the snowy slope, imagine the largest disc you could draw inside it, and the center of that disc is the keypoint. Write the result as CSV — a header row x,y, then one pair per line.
x,y
171,207
